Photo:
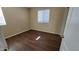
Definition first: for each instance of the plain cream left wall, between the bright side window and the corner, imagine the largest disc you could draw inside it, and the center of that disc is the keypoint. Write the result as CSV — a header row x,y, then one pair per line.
x,y
17,20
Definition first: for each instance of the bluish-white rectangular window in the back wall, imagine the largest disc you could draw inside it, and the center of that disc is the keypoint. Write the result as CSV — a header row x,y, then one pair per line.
x,y
43,16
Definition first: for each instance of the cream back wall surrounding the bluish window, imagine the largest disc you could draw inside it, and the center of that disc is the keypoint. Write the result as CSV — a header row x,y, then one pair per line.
x,y
55,22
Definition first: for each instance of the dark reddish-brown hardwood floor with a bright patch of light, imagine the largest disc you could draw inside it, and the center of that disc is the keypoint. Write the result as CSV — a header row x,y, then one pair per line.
x,y
33,40
